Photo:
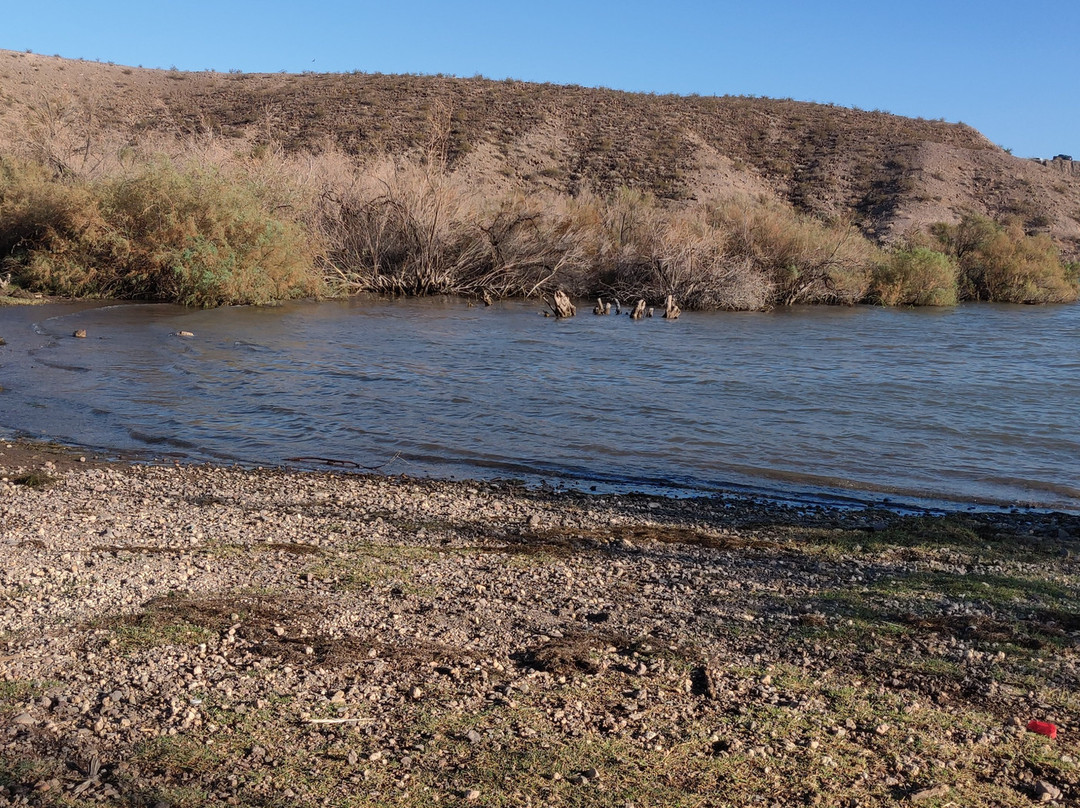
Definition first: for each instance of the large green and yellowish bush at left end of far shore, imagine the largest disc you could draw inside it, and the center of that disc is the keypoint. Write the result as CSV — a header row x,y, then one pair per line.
x,y
182,236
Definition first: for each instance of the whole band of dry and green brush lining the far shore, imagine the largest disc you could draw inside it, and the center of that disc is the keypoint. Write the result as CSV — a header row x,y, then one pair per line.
x,y
211,227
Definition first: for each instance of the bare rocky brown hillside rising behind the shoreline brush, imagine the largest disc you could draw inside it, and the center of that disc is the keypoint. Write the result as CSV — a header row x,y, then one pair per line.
x,y
886,173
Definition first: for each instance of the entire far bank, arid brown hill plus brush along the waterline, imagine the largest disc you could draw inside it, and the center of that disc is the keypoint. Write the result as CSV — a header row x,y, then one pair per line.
x,y
221,188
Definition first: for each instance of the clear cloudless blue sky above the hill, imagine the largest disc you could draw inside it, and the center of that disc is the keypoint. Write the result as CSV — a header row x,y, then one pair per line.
x,y
1010,70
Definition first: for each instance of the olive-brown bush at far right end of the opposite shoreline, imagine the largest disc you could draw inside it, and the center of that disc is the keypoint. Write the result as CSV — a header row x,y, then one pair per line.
x,y
1003,264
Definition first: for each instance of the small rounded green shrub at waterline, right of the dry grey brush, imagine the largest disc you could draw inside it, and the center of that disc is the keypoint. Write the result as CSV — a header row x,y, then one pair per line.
x,y
915,277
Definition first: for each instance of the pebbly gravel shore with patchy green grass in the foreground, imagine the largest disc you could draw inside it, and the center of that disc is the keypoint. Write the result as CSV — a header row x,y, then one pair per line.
x,y
195,636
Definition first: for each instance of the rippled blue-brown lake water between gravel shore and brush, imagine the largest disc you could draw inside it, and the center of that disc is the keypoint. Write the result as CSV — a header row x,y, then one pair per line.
x,y
973,405
